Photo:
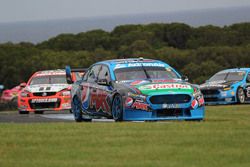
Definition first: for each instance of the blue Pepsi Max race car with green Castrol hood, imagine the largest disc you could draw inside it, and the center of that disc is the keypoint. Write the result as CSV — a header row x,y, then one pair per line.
x,y
134,90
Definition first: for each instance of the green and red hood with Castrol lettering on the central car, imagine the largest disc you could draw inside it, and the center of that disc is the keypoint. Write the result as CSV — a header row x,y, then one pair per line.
x,y
157,87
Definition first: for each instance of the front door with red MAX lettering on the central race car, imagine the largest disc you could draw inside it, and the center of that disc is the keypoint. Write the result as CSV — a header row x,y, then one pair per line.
x,y
102,96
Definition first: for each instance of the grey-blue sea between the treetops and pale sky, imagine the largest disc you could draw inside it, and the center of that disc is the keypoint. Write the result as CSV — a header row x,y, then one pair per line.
x,y
39,31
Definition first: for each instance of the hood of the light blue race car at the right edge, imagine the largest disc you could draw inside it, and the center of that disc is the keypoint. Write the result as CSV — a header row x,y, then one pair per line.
x,y
217,84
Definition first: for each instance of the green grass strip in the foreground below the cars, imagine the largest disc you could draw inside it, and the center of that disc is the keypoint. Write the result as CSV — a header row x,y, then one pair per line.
x,y
223,139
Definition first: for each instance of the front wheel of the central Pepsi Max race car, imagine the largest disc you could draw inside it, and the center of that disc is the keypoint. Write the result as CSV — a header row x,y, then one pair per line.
x,y
117,108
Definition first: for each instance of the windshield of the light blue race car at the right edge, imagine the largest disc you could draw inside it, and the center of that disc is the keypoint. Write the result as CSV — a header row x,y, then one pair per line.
x,y
228,76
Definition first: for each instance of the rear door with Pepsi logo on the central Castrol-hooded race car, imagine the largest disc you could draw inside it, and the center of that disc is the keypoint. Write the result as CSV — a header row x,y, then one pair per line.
x,y
88,89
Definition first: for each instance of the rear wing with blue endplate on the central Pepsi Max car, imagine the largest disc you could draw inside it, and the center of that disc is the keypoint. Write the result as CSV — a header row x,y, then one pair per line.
x,y
72,75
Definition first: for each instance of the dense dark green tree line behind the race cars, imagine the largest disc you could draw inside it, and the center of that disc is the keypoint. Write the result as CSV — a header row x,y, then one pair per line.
x,y
197,52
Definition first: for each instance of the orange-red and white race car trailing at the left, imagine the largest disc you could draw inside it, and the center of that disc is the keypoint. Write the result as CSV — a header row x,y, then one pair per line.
x,y
45,90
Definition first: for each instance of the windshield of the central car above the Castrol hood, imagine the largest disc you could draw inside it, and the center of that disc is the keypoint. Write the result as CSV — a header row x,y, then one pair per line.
x,y
134,73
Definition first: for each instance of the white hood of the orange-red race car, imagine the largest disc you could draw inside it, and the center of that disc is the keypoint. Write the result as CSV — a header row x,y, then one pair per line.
x,y
46,88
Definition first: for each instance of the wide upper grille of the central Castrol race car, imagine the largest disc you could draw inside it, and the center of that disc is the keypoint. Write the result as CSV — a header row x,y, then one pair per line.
x,y
170,99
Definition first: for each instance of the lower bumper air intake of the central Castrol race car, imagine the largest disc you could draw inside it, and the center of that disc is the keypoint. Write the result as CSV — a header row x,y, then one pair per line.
x,y
173,112
